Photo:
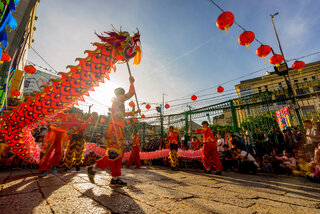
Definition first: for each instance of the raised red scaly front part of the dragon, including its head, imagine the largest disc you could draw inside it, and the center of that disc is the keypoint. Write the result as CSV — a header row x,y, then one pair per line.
x,y
16,124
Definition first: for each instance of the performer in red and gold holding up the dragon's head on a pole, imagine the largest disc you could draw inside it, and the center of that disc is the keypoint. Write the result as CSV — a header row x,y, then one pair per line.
x,y
115,137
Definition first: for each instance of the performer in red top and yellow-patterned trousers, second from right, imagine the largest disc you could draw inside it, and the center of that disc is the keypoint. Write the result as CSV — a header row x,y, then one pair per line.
x,y
173,142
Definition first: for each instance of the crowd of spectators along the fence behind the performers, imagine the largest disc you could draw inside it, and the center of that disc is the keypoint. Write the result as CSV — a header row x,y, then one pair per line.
x,y
290,151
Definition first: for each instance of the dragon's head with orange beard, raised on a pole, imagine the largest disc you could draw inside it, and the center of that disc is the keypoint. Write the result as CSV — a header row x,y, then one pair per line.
x,y
130,46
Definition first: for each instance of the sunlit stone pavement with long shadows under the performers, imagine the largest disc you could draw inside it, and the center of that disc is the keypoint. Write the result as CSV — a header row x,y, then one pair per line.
x,y
157,190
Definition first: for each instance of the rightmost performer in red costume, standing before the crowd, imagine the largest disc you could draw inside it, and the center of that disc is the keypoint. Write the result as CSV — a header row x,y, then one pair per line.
x,y
210,155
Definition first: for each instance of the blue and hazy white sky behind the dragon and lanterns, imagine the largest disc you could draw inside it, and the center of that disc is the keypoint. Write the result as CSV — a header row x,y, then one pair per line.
x,y
184,53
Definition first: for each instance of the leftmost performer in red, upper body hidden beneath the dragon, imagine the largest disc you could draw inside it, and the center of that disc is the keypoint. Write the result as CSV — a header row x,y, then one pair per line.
x,y
55,141
